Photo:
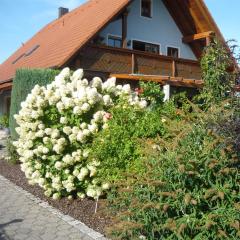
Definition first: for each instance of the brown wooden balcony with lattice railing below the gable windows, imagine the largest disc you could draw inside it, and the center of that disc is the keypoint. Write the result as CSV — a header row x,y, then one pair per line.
x,y
126,62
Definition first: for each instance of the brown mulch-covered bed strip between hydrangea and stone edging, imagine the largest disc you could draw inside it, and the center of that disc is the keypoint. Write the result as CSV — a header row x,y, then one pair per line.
x,y
83,210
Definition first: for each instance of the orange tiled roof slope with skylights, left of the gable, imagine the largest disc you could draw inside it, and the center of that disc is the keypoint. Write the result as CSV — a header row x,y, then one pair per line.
x,y
61,39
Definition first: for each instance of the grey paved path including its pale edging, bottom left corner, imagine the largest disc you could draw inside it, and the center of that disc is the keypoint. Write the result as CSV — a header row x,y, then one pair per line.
x,y
24,217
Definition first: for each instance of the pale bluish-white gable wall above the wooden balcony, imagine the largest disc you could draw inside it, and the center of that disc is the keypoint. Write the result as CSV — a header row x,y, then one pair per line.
x,y
160,29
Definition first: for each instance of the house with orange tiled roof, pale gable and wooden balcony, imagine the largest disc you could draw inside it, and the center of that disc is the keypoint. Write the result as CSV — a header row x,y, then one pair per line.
x,y
158,40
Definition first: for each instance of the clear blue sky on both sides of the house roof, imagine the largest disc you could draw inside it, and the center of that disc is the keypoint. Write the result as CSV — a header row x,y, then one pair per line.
x,y
21,19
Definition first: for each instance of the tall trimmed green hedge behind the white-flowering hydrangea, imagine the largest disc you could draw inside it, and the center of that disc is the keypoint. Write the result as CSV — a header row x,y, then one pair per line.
x,y
23,83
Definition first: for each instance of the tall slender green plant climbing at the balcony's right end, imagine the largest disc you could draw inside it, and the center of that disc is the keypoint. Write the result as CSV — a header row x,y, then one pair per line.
x,y
215,64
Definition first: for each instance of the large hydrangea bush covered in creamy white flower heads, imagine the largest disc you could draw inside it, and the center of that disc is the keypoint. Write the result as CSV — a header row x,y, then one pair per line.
x,y
56,126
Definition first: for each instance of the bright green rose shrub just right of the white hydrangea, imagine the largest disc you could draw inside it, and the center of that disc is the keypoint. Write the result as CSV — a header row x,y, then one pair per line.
x,y
118,146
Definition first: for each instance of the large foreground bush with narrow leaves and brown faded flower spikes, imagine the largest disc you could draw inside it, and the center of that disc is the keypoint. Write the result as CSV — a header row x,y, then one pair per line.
x,y
189,188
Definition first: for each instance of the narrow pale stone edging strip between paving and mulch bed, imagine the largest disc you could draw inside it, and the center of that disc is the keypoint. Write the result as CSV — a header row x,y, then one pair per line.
x,y
66,218
